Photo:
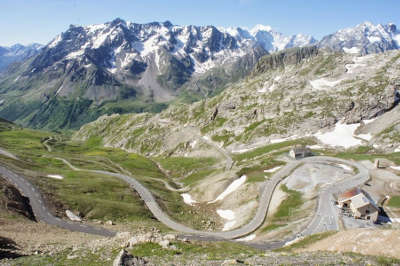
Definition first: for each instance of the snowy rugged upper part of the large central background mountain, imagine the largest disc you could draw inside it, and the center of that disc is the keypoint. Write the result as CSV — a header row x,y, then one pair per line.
x,y
119,43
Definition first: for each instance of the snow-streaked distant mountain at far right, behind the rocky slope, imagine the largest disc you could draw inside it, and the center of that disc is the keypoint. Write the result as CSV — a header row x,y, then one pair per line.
x,y
364,38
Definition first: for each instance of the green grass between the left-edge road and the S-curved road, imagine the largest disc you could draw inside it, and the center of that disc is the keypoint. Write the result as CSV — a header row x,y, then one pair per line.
x,y
93,195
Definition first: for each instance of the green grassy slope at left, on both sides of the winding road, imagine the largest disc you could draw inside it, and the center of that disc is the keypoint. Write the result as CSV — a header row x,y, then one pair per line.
x,y
95,196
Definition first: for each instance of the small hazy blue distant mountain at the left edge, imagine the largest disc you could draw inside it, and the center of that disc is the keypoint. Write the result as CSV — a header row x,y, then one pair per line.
x,y
17,53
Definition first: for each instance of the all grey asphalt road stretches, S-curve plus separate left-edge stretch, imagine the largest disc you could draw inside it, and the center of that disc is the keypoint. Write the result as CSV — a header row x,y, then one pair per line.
x,y
325,218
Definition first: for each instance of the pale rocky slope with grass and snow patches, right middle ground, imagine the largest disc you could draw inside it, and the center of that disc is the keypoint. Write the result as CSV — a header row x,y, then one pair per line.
x,y
333,98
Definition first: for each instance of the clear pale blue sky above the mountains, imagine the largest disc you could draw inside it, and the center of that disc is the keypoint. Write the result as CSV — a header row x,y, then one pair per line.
x,y
28,21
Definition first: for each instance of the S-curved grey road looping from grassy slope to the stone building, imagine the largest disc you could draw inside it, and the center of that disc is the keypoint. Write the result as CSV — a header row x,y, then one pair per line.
x,y
325,208
